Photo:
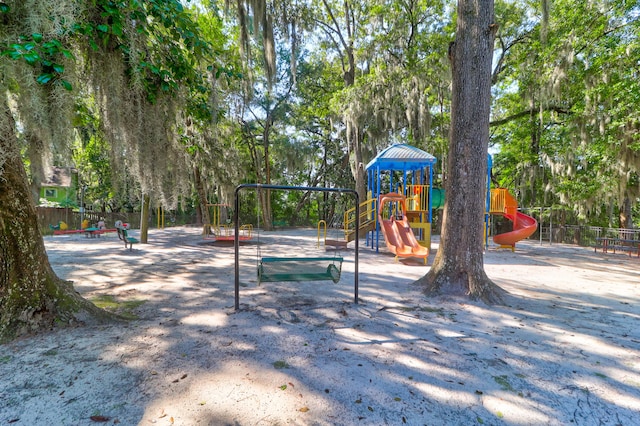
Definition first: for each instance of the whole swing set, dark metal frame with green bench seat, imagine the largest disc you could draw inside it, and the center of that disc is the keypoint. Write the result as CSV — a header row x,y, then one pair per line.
x,y
281,269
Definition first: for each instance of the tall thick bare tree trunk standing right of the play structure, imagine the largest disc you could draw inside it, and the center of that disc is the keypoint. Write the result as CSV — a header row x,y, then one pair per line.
x,y
458,268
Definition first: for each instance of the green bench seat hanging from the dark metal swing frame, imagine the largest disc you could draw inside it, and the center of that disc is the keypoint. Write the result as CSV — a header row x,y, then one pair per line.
x,y
276,269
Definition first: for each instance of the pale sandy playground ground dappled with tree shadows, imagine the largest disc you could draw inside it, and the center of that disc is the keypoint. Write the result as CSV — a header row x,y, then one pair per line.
x,y
566,350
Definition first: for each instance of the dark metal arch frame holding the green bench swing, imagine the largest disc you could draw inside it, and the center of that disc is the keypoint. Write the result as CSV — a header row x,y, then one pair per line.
x,y
291,188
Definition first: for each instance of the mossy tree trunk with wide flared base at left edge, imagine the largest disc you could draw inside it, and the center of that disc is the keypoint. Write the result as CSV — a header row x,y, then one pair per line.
x,y
32,297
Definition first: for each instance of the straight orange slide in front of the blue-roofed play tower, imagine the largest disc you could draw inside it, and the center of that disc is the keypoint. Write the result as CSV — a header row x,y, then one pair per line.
x,y
396,231
